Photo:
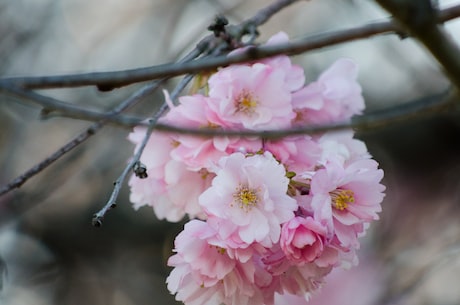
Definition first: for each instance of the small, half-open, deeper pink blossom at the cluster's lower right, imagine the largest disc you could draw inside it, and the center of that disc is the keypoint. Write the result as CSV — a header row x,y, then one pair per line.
x,y
303,240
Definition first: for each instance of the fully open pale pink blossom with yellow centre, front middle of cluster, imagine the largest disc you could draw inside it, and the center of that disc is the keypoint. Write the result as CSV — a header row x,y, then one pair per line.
x,y
247,201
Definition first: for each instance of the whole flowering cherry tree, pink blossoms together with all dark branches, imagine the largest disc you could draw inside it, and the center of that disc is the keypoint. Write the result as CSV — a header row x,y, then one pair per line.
x,y
264,164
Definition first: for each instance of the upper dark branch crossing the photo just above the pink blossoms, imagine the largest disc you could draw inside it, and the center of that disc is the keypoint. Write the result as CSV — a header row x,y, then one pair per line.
x,y
125,77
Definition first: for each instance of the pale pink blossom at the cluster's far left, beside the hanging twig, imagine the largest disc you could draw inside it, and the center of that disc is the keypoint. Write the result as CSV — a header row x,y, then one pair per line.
x,y
170,188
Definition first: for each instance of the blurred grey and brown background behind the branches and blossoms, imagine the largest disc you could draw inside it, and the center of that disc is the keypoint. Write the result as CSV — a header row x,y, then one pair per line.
x,y
51,254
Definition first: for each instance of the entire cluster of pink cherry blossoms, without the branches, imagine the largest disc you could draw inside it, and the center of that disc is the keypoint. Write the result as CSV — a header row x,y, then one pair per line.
x,y
269,217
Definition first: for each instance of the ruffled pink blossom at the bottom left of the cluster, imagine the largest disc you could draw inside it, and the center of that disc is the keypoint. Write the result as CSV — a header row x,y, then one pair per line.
x,y
204,274
